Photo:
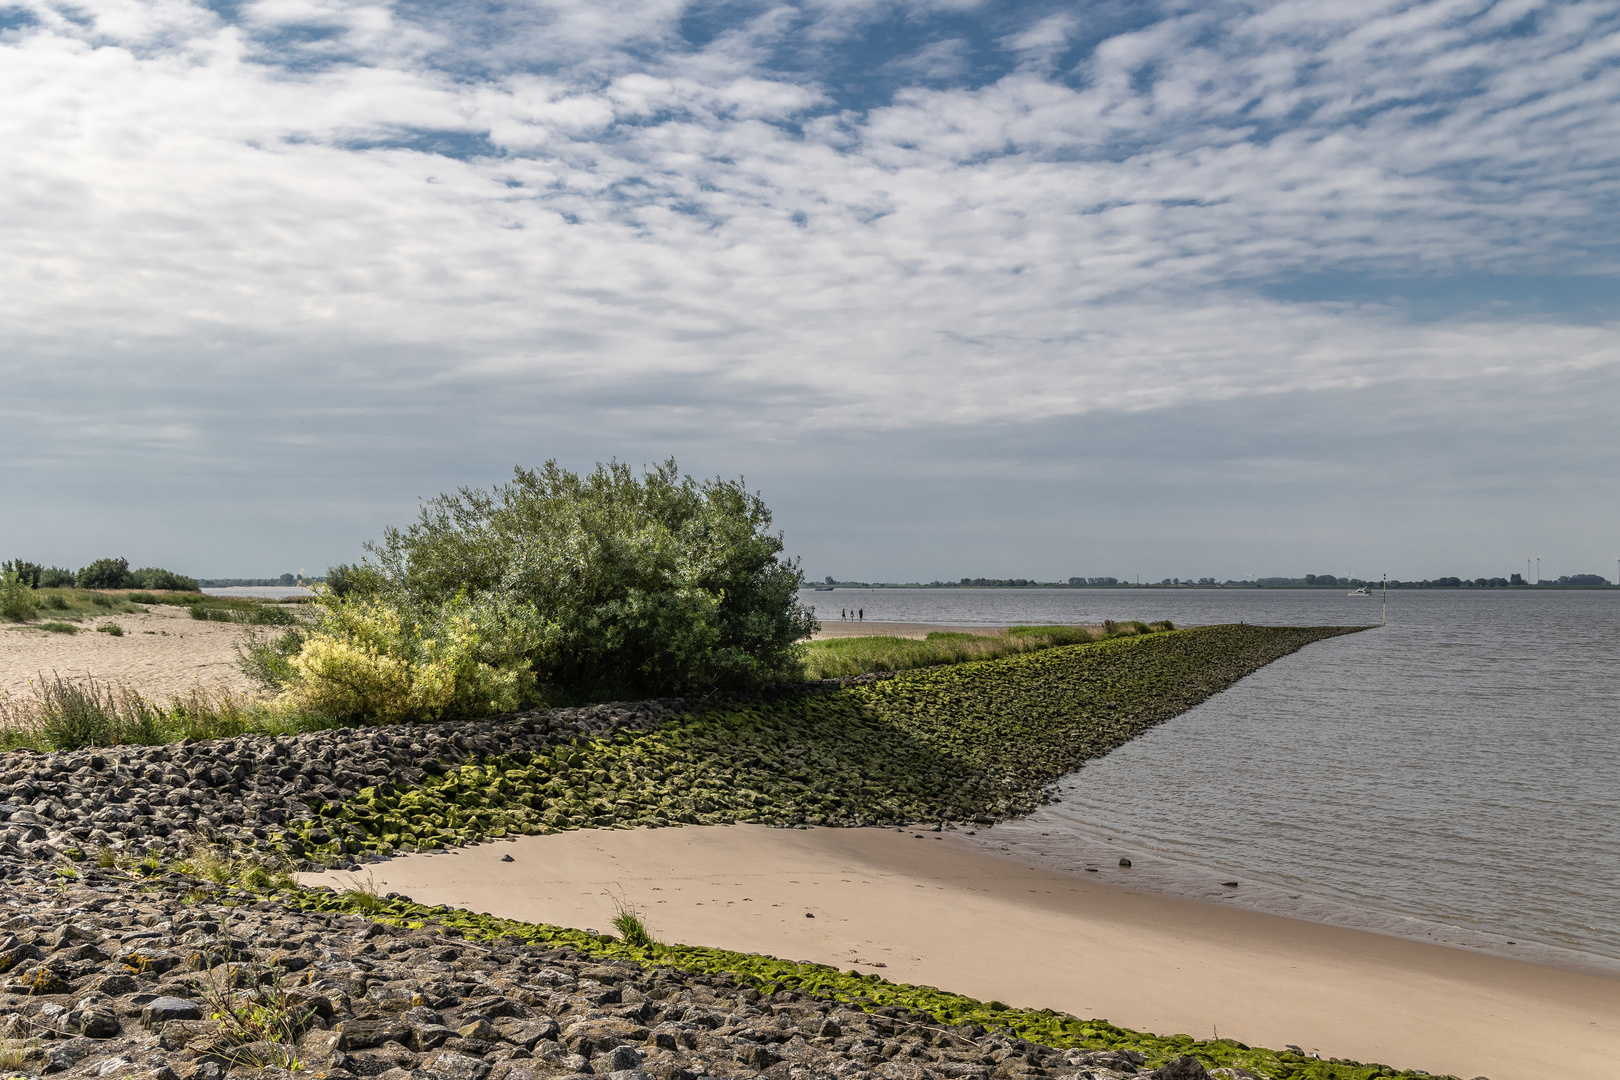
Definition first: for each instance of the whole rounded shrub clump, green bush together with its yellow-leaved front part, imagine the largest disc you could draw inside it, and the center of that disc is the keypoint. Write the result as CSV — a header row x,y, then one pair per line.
x,y
556,585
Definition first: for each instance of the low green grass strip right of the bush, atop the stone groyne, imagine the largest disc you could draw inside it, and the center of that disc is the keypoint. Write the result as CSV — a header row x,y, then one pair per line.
x,y
835,658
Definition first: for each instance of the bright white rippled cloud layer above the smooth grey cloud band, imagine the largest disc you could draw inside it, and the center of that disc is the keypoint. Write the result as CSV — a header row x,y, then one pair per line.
x,y
1039,247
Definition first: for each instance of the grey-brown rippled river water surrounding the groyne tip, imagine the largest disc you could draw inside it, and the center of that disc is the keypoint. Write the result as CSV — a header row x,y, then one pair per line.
x,y
1451,776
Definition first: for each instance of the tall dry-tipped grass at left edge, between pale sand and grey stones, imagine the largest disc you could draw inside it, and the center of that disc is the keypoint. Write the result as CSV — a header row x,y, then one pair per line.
x,y
69,715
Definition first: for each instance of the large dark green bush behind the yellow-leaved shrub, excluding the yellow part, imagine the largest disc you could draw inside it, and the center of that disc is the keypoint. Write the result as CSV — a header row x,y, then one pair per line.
x,y
625,585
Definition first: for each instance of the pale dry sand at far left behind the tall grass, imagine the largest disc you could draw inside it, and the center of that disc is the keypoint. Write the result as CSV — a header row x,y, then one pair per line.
x,y
161,653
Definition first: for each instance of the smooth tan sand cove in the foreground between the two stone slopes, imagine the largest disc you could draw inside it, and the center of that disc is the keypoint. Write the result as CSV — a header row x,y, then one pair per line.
x,y
939,912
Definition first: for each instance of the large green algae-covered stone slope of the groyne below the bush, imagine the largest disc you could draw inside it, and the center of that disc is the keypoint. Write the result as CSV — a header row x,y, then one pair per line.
x,y
971,742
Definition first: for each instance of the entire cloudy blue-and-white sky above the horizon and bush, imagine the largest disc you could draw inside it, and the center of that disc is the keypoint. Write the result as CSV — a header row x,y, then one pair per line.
x,y
963,289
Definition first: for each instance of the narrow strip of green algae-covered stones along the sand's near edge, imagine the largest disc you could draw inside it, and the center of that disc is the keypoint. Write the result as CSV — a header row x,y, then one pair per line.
x,y
864,992
